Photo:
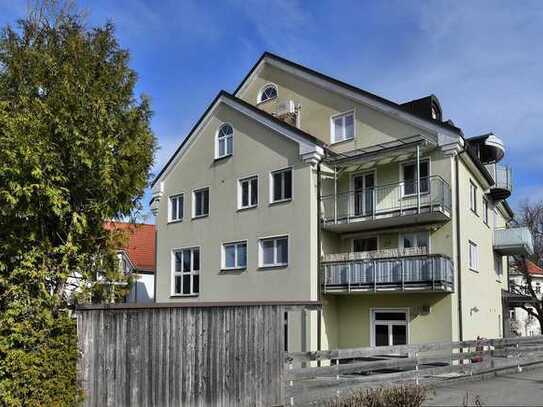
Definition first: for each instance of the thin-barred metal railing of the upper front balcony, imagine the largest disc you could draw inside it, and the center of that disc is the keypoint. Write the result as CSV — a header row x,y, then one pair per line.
x,y
395,199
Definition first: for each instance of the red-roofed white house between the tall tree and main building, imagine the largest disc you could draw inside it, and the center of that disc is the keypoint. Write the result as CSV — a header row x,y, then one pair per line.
x,y
138,259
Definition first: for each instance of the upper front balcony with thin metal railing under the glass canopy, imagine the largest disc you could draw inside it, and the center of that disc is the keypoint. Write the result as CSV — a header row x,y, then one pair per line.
x,y
397,204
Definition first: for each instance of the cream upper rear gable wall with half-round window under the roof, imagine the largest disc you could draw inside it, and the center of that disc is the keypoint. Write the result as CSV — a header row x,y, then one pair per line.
x,y
318,105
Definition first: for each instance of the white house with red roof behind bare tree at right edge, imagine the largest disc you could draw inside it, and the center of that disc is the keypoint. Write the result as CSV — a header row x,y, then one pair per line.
x,y
522,323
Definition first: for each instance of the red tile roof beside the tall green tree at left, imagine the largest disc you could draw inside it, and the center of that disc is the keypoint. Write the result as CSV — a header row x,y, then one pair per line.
x,y
140,246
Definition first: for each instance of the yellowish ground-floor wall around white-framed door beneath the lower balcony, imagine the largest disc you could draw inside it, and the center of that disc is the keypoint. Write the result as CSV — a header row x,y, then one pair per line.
x,y
353,323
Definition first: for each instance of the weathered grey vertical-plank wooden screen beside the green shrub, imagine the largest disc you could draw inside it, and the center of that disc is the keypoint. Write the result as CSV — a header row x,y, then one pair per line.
x,y
191,356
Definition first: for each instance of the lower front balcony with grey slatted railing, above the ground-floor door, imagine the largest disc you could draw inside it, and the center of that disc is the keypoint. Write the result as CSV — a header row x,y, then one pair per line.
x,y
408,271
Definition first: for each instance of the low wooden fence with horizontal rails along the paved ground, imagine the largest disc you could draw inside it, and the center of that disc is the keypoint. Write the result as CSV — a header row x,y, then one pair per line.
x,y
348,370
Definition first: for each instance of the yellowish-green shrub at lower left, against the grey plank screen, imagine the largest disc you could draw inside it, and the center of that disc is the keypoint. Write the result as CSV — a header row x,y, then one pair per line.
x,y
38,356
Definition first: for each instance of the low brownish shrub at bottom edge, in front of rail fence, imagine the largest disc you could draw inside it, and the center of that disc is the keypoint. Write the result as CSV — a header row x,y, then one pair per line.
x,y
396,396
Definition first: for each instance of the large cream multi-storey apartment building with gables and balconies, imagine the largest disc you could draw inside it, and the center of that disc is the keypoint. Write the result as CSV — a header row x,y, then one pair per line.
x,y
301,187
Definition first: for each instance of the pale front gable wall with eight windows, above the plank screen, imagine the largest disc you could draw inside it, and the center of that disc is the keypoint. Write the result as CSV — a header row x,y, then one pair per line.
x,y
257,151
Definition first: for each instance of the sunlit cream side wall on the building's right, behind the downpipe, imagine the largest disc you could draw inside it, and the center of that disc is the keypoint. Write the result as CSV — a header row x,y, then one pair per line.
x,y
481,293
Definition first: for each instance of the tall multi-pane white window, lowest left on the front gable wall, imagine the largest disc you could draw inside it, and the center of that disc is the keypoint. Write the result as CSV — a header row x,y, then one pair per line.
x,y
186,271
